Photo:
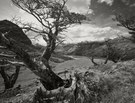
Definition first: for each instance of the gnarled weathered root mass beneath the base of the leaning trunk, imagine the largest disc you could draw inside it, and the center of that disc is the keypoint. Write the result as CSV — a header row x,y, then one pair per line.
x,y
76,93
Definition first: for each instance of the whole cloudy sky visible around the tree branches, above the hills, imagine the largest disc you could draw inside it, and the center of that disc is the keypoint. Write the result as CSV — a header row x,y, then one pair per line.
x,y
100,12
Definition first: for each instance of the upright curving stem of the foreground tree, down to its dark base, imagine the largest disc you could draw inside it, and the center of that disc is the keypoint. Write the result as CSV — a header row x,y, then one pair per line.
x,y
55,80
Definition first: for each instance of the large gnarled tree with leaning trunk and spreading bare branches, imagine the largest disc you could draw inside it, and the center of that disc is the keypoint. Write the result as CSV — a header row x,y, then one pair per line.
x,y
54,18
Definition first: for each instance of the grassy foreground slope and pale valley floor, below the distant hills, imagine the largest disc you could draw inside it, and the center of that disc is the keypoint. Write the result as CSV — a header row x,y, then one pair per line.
x,y
110,83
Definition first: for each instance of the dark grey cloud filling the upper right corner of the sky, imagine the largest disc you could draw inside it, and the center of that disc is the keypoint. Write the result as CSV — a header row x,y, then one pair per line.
x,y
104,11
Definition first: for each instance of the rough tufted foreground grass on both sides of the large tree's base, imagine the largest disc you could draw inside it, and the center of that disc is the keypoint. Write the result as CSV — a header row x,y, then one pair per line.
x,y
110,83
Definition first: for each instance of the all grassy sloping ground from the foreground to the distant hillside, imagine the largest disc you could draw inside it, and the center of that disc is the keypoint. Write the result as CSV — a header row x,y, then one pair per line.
x,y
106,83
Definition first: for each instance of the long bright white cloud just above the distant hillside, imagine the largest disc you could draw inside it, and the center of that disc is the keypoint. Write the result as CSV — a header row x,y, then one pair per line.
x,y
88,32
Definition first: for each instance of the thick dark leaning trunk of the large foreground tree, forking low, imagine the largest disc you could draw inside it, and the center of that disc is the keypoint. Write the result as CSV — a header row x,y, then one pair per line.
x,y
48,78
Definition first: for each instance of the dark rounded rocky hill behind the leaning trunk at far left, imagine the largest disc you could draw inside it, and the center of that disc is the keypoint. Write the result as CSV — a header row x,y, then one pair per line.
x,y
14,32
